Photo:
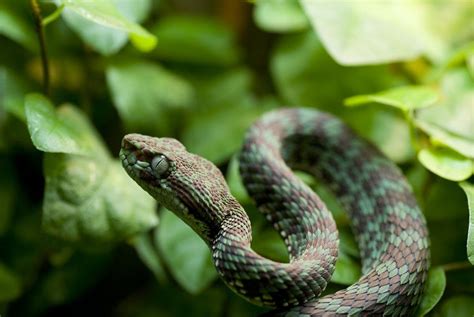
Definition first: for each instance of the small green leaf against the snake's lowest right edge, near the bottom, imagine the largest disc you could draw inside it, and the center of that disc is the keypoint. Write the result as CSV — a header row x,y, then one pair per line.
x,y
434,289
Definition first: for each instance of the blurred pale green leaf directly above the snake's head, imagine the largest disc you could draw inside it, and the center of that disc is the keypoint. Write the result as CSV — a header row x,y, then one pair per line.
x,y
143,91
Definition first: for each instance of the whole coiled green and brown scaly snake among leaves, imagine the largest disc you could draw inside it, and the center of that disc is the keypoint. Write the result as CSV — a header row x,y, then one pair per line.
x,y
388,226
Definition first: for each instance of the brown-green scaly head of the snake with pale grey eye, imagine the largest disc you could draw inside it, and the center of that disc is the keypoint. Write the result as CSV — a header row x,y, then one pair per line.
x,y
187,184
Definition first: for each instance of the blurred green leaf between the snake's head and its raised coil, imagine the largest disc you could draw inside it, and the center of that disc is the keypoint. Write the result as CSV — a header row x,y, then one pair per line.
x,y
216,127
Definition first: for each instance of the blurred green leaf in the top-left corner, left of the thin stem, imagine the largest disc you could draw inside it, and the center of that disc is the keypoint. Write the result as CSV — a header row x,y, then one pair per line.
x,y
14,26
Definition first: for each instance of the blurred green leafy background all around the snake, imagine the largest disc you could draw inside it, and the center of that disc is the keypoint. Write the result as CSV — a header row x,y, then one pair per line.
x,y
78,237
